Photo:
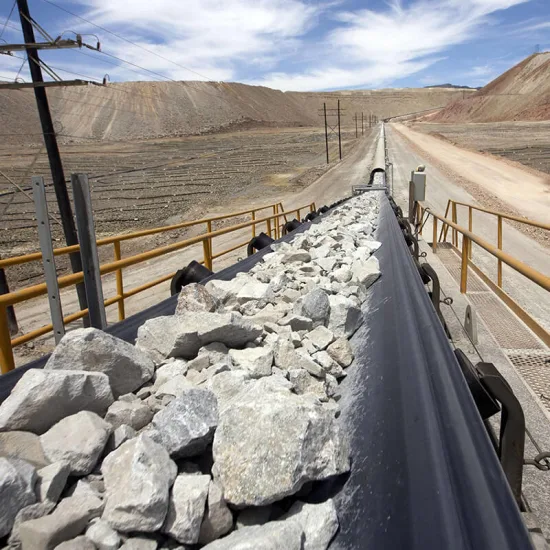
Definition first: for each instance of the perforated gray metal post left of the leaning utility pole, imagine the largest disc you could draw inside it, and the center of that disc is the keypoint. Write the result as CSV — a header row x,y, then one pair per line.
x,y
48,260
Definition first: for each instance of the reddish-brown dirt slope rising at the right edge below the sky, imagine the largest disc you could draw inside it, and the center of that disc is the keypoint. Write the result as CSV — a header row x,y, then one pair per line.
x,y
522,93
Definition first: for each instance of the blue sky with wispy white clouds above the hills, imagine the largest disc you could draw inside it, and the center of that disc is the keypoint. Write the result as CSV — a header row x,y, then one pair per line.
x,y
300,45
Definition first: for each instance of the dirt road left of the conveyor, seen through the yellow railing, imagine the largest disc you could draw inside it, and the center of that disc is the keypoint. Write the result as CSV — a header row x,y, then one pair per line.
x,y
334,184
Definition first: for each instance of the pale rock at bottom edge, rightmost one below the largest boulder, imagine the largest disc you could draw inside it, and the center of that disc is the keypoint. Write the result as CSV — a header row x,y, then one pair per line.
x,y
319,522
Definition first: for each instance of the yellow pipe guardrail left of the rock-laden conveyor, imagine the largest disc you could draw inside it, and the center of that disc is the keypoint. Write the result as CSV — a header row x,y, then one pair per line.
x,y
273,223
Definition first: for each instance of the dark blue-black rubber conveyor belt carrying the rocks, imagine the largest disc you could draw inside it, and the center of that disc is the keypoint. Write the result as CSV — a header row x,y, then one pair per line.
x,y
424,475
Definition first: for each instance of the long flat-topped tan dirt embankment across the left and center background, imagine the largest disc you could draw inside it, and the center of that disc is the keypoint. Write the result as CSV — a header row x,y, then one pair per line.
x,y
142,110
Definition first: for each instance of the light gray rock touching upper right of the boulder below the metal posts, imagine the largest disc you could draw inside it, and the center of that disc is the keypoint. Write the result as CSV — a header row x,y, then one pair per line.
x,y
174,336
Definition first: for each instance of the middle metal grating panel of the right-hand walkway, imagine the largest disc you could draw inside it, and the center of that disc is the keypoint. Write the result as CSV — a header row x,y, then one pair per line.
x,y
506,328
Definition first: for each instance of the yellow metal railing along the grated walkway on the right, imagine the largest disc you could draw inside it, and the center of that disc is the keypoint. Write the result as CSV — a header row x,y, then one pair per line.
x,y
468,237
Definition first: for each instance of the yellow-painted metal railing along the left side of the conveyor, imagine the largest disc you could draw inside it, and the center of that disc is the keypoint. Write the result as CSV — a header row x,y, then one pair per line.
x,y
6,344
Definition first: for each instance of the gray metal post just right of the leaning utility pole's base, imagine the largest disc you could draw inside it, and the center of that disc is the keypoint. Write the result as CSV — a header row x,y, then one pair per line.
x,y
88,250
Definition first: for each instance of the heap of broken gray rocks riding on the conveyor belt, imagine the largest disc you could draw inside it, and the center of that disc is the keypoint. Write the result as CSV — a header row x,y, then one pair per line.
x,y
214,429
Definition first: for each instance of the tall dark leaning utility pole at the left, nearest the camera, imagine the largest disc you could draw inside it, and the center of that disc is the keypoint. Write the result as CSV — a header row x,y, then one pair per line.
x,y
50,141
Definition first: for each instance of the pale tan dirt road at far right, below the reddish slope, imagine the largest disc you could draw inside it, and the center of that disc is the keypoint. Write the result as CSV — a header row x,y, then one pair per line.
x,y
525,192
